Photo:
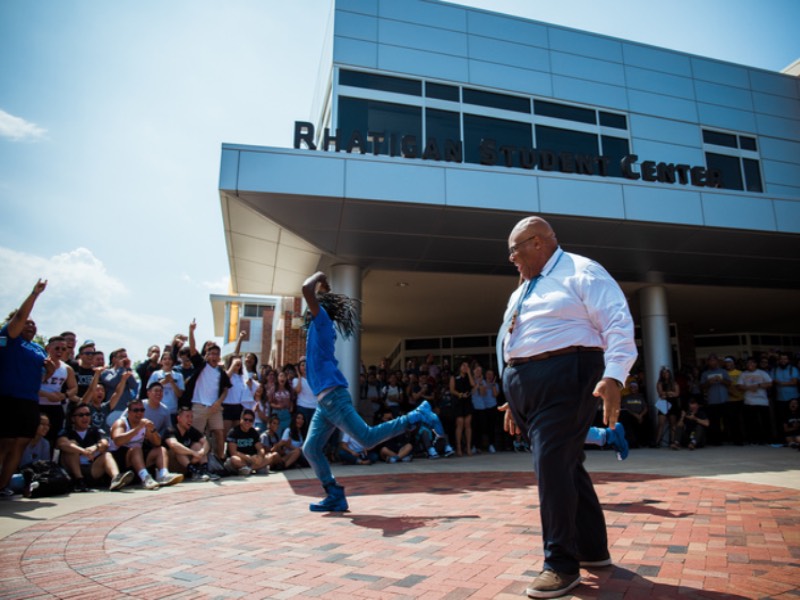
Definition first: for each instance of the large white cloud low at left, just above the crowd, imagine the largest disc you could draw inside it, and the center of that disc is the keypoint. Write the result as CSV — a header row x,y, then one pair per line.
x,y
81,296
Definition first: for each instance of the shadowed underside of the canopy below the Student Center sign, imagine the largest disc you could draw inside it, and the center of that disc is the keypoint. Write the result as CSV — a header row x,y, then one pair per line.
x,y
432,270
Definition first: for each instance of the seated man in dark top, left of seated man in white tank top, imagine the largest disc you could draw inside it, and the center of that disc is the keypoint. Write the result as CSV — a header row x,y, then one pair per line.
x,y
85,452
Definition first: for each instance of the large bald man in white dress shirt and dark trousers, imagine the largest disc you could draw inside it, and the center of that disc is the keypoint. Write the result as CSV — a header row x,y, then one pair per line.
x,y
567,339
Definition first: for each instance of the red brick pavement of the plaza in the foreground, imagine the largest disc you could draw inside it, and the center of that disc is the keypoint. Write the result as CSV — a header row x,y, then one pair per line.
x,y
408,535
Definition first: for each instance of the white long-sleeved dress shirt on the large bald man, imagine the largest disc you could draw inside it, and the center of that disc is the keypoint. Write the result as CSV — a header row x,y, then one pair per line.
x,y
574,303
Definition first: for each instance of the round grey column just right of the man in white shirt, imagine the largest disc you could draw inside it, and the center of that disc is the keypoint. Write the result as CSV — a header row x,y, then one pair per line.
x,y
655,337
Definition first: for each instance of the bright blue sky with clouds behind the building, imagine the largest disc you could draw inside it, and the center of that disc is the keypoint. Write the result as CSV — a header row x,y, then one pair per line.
x,y
112,115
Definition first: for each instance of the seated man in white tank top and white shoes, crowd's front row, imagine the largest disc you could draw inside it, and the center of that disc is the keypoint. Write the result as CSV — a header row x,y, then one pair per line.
x,y
137,444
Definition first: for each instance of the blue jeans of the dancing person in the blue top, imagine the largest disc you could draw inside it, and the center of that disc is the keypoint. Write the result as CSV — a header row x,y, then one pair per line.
x,y
336,411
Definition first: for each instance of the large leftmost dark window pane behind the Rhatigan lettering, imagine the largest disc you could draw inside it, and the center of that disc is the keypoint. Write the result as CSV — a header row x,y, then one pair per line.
x,y
363,116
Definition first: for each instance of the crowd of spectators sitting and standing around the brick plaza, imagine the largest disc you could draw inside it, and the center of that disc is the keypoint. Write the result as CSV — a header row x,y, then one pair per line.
x,y
184,412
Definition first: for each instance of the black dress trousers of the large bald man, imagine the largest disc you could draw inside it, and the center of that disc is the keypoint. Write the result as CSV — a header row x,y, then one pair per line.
x,y
551,401
